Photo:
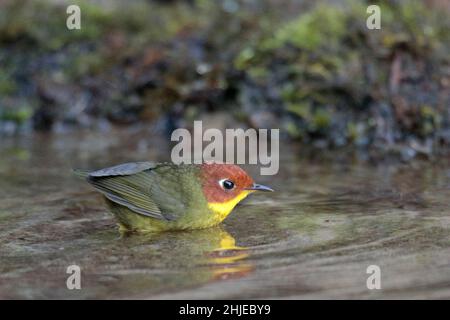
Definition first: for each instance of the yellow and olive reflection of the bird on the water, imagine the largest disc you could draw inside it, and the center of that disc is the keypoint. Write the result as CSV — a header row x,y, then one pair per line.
x,y
206,255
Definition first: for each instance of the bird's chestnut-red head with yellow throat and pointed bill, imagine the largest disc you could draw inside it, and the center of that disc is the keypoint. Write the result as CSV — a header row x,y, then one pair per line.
x,y
225,185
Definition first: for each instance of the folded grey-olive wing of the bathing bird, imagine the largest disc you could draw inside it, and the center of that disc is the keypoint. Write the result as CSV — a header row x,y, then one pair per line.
x,y
129,184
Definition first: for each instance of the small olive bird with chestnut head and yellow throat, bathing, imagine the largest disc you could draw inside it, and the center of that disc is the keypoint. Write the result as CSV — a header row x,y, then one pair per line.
x,y
153,197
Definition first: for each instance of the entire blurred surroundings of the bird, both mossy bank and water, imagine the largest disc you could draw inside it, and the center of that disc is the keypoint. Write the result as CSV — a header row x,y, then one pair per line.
x,y
364,118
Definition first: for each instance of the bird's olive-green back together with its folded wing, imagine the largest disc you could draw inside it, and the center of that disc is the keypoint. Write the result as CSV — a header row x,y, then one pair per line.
x,y
161,191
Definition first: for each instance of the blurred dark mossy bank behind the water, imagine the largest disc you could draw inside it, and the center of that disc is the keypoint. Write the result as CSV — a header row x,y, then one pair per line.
x,y
311,68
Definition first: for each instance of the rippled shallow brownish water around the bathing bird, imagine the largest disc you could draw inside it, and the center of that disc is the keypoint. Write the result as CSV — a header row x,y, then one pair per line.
x,y
313,238
